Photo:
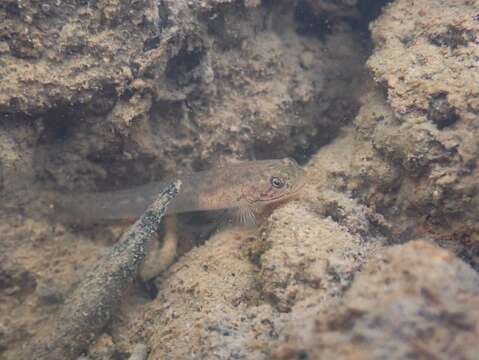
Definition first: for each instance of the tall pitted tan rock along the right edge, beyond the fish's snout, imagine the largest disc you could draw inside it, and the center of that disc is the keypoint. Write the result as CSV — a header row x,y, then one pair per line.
x,y
417,150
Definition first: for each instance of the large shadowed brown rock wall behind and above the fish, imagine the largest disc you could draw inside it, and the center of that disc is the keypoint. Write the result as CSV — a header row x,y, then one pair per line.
x,y
133,92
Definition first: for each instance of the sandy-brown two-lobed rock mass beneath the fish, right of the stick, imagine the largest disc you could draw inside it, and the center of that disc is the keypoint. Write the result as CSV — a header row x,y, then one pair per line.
x,y
231,297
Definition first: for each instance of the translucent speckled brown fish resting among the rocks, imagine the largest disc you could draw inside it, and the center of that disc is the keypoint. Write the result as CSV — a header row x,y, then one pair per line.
x,y
247,184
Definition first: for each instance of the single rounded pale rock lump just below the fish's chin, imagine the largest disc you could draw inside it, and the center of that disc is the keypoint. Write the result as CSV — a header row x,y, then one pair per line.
x,y
306,257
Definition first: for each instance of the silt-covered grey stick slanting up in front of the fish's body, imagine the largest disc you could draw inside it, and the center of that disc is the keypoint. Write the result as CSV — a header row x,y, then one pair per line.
x,y
93,303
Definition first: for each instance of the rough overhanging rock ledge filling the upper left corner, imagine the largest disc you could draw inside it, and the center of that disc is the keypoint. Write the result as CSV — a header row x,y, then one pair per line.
x,y
64,53
